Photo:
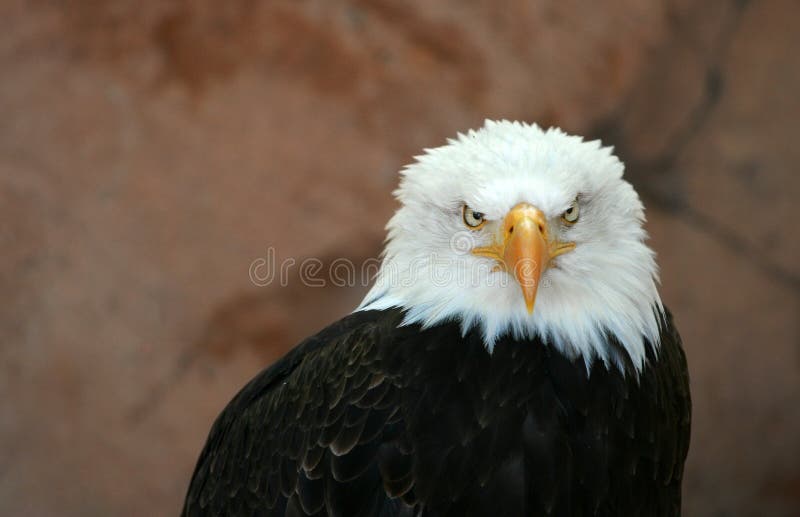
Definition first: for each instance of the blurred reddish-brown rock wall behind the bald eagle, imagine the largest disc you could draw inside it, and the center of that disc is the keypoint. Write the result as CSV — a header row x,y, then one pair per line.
x,y
150,152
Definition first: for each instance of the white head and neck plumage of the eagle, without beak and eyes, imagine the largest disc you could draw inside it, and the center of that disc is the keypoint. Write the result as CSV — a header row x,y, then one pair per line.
x,y
607,284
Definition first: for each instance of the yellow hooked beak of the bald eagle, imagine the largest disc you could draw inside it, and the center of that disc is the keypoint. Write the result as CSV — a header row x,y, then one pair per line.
x,y
523,248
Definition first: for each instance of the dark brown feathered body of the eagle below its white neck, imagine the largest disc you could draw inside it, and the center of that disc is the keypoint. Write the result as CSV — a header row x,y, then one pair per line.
x,y
370,418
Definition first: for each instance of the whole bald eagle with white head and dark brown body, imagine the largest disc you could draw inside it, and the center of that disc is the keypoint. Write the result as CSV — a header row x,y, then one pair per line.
x,y
512,358
